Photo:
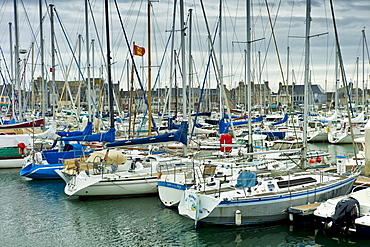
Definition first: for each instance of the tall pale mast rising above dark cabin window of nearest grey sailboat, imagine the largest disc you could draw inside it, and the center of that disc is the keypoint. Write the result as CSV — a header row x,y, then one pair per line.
x,y
306,78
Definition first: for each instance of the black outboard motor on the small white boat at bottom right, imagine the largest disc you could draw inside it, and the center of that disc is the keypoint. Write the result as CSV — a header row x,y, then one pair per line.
x,y
346,211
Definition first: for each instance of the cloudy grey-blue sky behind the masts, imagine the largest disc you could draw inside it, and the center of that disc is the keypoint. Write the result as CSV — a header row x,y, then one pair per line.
x,y
288,18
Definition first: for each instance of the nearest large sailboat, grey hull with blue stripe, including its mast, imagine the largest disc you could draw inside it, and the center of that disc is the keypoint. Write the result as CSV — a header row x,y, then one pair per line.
x,y
262,197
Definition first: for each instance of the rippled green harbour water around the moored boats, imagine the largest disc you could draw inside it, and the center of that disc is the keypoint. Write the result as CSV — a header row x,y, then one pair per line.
x,y
38,213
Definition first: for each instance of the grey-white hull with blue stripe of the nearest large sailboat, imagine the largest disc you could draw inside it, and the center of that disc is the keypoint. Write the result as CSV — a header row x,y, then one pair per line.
x,y
256,209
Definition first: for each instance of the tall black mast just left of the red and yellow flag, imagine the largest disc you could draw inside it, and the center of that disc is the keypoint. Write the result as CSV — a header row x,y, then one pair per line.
x,y
110,84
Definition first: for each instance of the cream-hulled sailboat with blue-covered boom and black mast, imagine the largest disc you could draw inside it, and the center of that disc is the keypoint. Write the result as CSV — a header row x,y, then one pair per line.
x,y
137,176
